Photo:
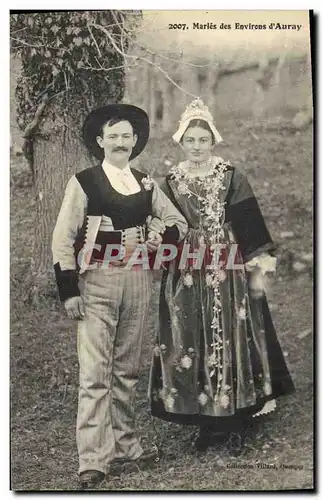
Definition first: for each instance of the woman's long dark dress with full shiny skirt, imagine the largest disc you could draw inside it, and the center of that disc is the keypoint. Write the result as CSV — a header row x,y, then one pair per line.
x,y
199,375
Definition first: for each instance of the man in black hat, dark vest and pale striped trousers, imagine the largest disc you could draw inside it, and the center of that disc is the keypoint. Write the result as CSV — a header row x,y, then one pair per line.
x,y
108,206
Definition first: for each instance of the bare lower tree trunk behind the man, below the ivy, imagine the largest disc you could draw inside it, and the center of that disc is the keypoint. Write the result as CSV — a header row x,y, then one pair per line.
x,y
56,158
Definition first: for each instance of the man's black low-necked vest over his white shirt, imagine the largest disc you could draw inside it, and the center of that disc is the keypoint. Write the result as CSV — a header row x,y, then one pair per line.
x,y
103,199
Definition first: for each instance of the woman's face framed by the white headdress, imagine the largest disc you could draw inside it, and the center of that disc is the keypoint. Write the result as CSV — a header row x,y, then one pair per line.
x,y
197,144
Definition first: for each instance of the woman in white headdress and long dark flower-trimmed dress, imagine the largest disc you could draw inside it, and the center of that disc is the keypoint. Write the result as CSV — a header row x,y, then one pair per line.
x,y
217,361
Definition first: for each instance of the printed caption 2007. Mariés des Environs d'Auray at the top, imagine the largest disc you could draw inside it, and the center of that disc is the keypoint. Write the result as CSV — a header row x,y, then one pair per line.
x,y
235,26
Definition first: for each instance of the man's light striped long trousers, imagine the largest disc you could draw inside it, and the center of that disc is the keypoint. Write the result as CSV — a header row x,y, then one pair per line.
x,y
109,342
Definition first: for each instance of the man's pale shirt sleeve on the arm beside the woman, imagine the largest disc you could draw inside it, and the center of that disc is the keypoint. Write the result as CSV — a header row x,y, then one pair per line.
x,y
163,208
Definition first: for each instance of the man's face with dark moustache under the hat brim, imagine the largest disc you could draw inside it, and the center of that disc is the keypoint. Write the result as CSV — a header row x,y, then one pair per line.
x,y
117,141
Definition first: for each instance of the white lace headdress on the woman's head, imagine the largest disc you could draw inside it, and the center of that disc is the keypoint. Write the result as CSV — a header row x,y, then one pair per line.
x,y
196,110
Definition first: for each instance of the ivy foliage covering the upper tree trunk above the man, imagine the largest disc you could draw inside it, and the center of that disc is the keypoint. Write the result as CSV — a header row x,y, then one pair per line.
x,y
63,58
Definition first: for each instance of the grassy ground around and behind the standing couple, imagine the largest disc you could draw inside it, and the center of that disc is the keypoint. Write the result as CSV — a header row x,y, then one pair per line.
x,y
44,366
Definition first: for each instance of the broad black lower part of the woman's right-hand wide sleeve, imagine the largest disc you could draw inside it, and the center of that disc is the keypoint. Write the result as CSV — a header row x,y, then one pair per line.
x,y
247,221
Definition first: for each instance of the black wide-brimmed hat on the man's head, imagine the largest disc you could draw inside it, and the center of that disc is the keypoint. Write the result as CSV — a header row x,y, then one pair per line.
x,y
94,121
